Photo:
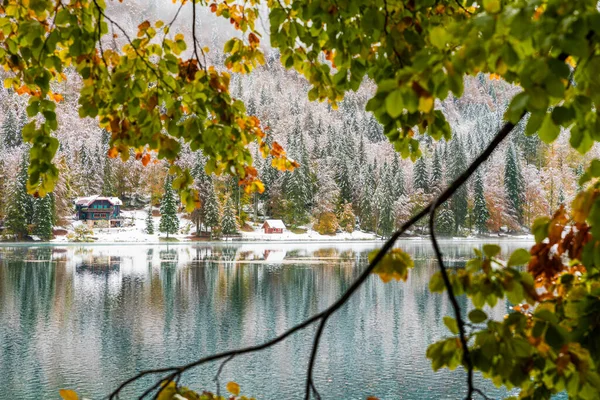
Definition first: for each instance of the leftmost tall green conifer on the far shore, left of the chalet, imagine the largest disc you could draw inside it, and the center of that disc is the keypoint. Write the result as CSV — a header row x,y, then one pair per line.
x,y
20,203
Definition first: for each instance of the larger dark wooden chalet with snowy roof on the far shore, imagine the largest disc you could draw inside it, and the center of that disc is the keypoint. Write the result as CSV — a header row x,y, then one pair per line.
x,y
99,211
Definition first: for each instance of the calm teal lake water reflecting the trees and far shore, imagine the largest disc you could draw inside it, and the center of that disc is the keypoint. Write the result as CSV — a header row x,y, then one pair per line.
x,y
87,317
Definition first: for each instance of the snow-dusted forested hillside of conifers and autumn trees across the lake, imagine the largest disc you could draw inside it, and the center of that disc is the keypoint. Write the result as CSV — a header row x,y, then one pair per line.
x,y
349,174
